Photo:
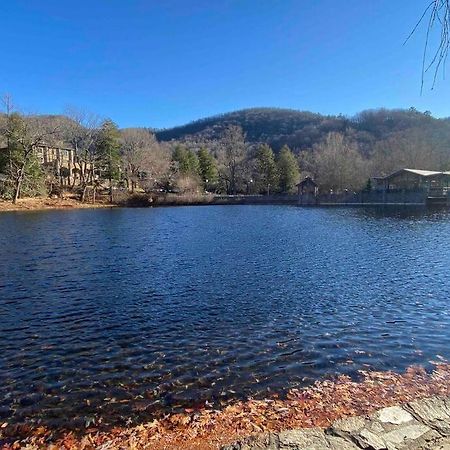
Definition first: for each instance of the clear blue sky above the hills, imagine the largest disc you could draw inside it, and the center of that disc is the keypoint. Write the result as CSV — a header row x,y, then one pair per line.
x,y
166,62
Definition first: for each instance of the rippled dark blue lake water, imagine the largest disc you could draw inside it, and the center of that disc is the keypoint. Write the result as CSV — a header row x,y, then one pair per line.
x,y
127,312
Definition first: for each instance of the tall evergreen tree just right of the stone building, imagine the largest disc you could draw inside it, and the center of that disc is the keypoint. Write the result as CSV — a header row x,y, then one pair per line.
x,y
108,147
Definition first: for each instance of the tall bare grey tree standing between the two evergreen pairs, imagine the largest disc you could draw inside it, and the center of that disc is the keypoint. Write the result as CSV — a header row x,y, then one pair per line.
x,y
231,155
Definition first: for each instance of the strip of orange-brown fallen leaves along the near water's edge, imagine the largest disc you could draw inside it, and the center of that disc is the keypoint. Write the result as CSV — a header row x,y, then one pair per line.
x,y
317,406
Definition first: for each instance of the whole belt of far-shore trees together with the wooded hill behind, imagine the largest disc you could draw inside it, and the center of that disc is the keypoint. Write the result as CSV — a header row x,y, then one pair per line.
x,y
253,151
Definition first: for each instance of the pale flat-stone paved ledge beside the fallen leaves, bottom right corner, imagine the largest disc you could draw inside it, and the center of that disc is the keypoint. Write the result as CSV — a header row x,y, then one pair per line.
x,y
420,425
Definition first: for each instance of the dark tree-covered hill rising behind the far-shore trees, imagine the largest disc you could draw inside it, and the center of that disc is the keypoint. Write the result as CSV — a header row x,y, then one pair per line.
x,y
302,129
